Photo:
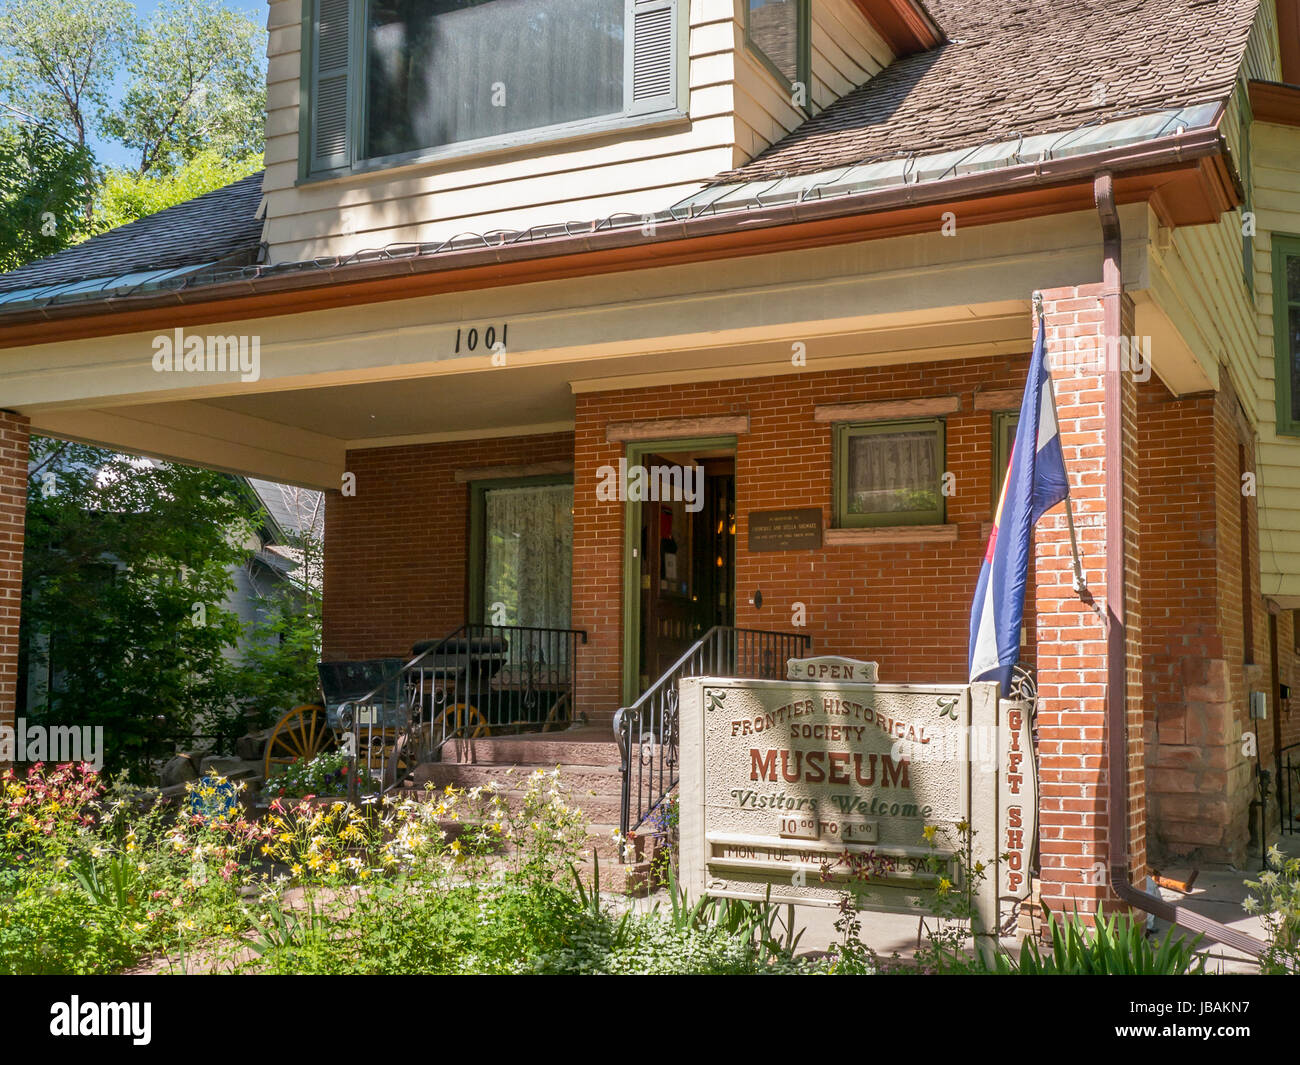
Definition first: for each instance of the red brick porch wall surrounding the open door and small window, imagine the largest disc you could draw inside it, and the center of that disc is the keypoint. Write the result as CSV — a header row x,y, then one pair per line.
x,y
904,605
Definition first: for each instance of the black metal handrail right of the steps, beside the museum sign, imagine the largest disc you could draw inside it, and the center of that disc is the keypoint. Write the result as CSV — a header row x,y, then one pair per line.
x,y
649,726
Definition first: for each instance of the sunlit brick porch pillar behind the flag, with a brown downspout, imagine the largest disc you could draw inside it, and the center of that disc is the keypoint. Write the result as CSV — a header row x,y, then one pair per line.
x,y
1074,821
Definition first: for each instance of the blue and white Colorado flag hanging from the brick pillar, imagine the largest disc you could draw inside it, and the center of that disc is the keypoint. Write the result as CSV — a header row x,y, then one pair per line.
x,y
1035,483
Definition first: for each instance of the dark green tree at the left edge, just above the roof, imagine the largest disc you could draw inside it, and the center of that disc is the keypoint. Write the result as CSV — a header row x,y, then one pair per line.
x,y
42,194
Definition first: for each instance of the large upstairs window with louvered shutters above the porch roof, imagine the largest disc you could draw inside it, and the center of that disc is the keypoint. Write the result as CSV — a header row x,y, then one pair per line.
x,y
397,81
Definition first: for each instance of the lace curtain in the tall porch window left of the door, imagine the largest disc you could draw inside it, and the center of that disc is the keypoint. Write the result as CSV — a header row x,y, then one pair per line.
x,y
528,565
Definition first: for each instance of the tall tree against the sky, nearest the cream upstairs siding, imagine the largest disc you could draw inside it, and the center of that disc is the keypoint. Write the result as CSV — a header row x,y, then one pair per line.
x,y
196,85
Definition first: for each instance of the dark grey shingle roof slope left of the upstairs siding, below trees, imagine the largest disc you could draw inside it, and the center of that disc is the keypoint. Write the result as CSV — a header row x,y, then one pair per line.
x,y
219,226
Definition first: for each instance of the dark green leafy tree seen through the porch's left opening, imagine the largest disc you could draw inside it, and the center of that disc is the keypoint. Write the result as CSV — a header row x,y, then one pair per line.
x,y
127,570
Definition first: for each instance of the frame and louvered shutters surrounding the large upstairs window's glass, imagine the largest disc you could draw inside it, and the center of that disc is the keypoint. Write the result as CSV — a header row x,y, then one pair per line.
x,y
657,89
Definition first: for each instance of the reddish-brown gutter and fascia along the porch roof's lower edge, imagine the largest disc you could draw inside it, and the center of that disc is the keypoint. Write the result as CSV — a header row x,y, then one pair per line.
x,y
1195,158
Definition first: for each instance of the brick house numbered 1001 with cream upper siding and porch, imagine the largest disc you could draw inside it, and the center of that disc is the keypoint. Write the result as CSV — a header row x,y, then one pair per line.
x,y
792,244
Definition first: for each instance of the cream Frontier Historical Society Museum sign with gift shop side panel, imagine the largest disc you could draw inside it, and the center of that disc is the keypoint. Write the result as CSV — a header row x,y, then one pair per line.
x,y
803,790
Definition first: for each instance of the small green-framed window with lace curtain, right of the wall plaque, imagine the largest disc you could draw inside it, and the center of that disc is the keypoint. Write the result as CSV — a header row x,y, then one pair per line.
x,y
890,474
